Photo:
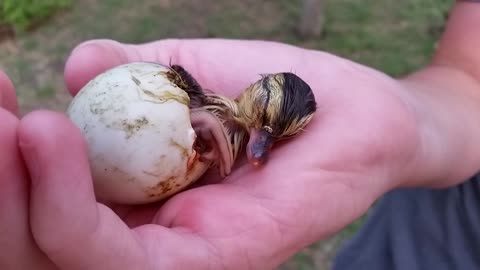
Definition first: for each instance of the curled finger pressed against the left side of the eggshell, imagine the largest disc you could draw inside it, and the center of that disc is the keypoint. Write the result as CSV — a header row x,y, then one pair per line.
x,y
67,223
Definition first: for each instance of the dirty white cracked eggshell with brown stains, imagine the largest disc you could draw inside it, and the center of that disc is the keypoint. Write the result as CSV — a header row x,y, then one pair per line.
x,y
140,139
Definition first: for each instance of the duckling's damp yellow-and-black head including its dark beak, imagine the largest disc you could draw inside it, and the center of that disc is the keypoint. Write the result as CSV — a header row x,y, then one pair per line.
x,y
276,107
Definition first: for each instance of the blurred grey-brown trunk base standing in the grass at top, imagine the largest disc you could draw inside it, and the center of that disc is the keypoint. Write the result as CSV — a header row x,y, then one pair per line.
x,y
312,18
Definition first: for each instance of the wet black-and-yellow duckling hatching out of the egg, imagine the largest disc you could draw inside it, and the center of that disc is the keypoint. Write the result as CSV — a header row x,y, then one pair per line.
x,y
276,107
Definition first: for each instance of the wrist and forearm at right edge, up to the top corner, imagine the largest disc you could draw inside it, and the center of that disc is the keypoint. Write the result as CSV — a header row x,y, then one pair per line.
x,y
446,98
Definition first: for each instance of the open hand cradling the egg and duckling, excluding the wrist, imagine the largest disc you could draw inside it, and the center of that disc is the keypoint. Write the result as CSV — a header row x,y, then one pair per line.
x,y
362,142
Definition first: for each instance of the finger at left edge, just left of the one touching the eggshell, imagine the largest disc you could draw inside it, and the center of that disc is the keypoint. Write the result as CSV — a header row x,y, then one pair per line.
x,y
14,225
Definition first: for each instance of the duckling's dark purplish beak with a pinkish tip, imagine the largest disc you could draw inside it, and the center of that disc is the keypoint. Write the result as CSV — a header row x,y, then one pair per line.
x,y
259,146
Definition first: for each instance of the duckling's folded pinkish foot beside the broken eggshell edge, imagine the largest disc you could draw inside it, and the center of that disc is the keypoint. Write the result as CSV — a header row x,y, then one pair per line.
x,y
212,140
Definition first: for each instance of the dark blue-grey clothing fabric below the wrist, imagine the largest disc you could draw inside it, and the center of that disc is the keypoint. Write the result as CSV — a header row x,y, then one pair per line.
x,y
419,229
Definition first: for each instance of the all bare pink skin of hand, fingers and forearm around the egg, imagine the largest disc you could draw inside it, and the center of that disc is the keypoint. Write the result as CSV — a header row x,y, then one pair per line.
x,y
371,134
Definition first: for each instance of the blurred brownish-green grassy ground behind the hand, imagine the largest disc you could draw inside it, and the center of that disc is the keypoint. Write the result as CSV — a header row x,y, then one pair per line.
x,y
396,37
